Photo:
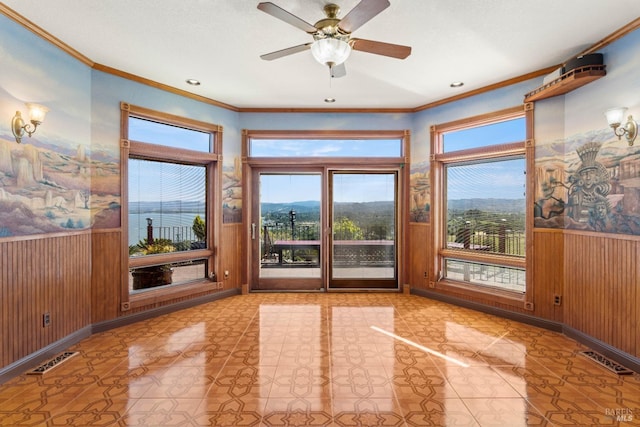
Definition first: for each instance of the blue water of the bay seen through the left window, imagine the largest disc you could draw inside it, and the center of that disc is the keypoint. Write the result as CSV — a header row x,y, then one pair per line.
x,y
165,225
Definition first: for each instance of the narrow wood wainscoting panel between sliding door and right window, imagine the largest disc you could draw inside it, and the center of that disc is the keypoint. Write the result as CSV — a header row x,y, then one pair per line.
x,y
419,254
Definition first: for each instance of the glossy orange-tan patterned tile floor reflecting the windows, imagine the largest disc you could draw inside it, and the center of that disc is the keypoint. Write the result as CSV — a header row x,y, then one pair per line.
x,y
316,359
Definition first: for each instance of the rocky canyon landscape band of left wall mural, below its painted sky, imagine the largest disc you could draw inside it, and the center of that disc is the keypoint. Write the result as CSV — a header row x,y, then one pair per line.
x,y
46,189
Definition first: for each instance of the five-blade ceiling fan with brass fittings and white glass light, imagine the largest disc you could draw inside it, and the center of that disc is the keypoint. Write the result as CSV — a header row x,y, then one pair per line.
x,y
332,36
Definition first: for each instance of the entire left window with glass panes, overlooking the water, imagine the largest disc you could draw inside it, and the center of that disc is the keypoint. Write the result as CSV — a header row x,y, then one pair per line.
x,y
170,173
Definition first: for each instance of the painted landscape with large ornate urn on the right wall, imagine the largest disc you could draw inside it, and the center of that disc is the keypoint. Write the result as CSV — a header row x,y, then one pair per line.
x,y
595,186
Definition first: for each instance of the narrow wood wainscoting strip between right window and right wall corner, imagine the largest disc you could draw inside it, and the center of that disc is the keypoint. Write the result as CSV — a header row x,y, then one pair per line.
x,y
548,267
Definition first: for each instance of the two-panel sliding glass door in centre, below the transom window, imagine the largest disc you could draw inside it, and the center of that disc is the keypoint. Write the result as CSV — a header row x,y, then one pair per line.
x,y
287,237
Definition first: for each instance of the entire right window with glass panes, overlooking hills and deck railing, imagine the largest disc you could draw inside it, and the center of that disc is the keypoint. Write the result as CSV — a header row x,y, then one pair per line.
x,y
480,192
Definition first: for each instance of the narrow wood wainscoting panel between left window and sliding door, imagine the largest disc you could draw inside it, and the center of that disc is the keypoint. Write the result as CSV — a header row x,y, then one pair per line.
x,y
231,256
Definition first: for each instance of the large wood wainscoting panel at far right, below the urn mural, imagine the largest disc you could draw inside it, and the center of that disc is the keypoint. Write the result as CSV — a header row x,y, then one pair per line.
x,y
601,291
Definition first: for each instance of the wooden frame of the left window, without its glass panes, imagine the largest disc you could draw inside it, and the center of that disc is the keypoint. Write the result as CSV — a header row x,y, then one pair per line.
x,y
155,152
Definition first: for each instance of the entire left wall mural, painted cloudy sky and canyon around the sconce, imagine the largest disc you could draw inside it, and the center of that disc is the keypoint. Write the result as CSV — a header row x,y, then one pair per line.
x,y
53,181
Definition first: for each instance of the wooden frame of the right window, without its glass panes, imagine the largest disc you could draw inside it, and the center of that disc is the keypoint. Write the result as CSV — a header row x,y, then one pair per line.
x,y
439,161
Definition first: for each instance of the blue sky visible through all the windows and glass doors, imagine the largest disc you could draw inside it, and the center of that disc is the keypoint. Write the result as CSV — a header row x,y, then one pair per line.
x,y
503,179
